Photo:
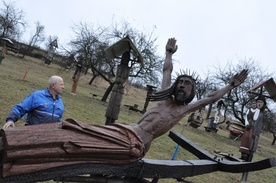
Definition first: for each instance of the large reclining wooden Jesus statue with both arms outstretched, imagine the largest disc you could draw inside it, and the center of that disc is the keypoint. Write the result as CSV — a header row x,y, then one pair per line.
x,y
32,148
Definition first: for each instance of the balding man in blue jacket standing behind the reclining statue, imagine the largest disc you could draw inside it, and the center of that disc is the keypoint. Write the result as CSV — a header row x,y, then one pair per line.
x,y
42,106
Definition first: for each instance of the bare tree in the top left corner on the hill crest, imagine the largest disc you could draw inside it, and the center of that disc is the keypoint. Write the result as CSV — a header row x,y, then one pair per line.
x,y
11,20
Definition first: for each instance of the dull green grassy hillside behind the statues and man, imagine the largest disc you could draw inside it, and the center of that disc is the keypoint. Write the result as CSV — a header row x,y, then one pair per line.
x,y
90,109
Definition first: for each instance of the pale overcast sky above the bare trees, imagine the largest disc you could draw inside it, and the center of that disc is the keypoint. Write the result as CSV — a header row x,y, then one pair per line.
x,y
208,32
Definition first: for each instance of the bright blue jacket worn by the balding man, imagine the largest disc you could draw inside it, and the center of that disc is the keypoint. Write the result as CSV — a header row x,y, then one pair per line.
x,y
40,107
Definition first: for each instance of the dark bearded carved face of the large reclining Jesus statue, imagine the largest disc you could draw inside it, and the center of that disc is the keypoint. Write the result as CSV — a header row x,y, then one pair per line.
x,y
183,89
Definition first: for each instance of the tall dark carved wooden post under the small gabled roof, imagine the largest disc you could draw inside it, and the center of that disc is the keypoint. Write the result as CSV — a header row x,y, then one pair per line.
x,y
113,108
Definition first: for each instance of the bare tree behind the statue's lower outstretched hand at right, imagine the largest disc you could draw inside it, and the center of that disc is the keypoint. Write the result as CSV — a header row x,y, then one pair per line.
x,y
237,100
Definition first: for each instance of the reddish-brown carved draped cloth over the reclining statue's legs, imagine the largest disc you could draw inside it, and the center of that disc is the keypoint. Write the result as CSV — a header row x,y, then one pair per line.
x,y
39,147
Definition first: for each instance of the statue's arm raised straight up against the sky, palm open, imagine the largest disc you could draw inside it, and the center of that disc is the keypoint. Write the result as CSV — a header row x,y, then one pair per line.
x,y
171,48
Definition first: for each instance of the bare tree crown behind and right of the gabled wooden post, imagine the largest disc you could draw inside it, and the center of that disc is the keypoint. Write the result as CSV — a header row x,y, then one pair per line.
x,y
146,44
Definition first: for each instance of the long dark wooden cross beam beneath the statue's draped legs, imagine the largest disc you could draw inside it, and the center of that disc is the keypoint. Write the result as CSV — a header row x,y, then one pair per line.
x,y
145,168
